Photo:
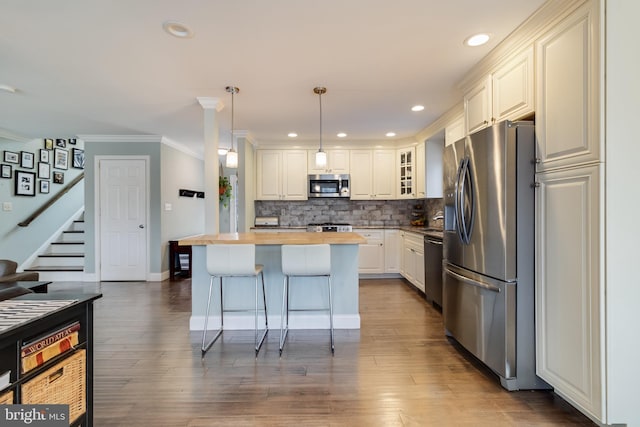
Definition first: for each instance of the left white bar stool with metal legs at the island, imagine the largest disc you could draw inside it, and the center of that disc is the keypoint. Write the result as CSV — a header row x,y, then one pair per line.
x,y
232,260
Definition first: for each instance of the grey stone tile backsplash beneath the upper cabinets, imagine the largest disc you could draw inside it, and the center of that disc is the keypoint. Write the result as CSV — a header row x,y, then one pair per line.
x,y
358,213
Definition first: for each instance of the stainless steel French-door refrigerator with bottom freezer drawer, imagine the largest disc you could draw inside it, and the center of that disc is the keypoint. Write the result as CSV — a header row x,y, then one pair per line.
x,y
488,258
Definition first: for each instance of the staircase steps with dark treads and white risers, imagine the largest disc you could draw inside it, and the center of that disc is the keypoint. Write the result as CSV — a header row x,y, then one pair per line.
x,y
63,260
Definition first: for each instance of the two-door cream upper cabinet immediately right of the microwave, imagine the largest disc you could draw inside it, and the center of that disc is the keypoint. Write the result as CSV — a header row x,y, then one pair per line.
x,y
372,174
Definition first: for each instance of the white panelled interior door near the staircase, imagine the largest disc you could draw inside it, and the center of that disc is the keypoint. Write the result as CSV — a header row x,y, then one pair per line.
x,y
123,216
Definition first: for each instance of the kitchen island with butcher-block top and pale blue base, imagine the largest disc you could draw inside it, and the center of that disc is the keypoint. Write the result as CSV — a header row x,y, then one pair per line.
x,y
239,291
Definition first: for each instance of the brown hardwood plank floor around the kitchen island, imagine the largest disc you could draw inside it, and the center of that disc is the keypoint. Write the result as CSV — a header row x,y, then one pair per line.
x,y
397,370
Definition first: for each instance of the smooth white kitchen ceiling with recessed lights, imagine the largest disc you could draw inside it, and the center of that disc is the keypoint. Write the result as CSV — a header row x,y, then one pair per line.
x,y
84,67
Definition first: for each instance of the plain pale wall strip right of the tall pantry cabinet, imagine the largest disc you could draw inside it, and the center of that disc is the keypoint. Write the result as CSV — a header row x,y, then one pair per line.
x,y
622,178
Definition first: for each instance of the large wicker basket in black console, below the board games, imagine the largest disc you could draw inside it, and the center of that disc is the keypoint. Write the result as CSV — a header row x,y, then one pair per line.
x,y
64,383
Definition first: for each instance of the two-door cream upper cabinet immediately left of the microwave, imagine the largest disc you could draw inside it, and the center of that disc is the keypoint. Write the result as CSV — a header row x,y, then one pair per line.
x,y
281,175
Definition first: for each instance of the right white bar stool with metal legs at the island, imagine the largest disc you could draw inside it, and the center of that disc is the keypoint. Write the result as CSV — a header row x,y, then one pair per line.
x,y
304,261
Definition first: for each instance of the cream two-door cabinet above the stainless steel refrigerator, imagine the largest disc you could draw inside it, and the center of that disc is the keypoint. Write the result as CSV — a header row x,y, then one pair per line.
x,y
506,94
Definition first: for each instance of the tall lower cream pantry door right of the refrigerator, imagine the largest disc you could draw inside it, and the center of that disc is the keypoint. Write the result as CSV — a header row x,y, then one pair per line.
x,y
569,340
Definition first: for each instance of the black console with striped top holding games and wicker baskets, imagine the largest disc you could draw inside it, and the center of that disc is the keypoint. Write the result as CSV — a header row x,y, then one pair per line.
x,y
26,320
